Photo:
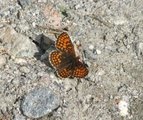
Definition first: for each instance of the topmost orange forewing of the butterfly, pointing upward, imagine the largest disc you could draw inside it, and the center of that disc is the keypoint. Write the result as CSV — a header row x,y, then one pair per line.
x,y
64,44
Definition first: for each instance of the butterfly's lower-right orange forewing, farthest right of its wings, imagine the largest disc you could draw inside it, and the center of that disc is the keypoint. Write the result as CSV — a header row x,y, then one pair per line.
x,y
80,70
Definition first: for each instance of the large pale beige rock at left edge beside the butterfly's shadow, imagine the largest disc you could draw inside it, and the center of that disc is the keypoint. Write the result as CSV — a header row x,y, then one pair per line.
x,y
17,44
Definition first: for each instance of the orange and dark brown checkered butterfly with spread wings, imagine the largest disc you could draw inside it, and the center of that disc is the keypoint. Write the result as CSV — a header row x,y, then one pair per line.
x,y
64,59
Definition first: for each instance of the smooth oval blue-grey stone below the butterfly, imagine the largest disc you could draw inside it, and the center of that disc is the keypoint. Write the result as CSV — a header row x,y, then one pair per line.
x,y
39,102
